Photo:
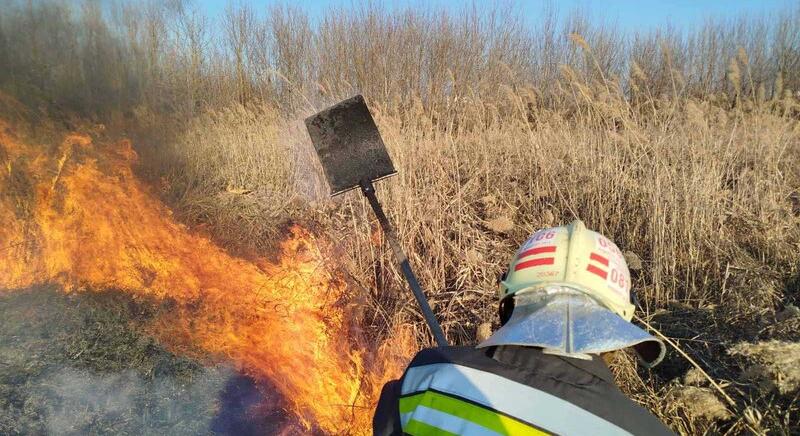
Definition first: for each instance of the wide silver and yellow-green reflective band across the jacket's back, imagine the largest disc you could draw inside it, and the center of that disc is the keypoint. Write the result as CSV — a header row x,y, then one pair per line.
x,y
459,399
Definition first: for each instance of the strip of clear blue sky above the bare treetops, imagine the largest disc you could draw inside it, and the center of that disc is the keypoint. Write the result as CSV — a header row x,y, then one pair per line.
x,y
630,15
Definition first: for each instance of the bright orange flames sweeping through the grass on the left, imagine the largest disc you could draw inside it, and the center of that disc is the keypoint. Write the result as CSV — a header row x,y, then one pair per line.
x,y
77,216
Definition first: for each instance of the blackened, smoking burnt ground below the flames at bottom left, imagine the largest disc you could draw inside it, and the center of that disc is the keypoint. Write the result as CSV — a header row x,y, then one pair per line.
x,y
80,363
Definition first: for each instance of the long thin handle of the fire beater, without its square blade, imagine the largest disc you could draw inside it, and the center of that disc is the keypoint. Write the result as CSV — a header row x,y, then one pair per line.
x,y
369,191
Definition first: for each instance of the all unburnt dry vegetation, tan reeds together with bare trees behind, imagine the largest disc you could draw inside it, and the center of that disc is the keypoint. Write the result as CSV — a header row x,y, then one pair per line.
x,y
680,146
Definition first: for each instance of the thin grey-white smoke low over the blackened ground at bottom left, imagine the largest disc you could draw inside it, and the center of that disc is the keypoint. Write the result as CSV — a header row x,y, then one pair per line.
x,y
75,401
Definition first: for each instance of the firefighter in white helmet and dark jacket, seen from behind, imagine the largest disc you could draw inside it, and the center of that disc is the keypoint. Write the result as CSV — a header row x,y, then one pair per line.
x,y
565,300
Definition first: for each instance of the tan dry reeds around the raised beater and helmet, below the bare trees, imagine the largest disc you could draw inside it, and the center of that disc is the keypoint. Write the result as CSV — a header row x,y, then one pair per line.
x,y
701,194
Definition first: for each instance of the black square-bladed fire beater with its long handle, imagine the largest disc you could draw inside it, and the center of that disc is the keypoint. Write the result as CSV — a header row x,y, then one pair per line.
x,y
353,155
